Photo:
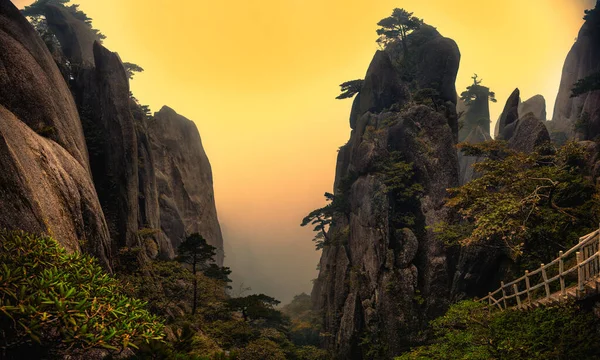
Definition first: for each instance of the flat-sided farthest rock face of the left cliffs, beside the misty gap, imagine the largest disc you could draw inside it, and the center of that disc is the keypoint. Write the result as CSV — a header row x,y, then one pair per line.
x,y
184,180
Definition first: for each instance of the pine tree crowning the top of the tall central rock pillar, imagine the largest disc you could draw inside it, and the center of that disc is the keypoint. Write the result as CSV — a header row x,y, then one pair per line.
x,y
397,27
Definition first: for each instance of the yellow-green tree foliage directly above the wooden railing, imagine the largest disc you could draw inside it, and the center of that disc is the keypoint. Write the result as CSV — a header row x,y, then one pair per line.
x,y
531,205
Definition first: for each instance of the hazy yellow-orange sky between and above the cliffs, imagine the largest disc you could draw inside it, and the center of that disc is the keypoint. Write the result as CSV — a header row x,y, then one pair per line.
x,y
259,78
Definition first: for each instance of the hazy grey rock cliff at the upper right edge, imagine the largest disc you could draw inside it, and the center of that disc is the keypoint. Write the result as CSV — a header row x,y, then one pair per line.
x,y
583,60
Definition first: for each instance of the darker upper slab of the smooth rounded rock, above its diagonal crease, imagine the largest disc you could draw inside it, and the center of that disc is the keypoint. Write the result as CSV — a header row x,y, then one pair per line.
x,y
32,88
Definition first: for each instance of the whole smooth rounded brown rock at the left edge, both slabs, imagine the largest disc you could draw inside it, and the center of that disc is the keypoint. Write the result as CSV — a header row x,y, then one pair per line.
x,y
45,186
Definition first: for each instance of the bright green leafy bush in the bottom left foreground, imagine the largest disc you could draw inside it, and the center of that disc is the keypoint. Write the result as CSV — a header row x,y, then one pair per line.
x,y
53,301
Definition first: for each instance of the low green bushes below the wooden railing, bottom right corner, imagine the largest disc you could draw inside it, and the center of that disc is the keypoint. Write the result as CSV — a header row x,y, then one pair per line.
x,y
468,331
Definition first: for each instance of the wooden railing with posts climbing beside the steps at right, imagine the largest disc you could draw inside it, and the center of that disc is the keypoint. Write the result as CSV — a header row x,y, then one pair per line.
x,y
571,270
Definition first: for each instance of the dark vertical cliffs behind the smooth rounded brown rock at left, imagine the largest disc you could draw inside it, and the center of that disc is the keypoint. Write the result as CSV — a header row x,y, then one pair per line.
x,y
152,175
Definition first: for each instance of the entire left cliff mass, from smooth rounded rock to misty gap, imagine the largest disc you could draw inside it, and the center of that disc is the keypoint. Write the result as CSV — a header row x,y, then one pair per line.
x,y
90,166
